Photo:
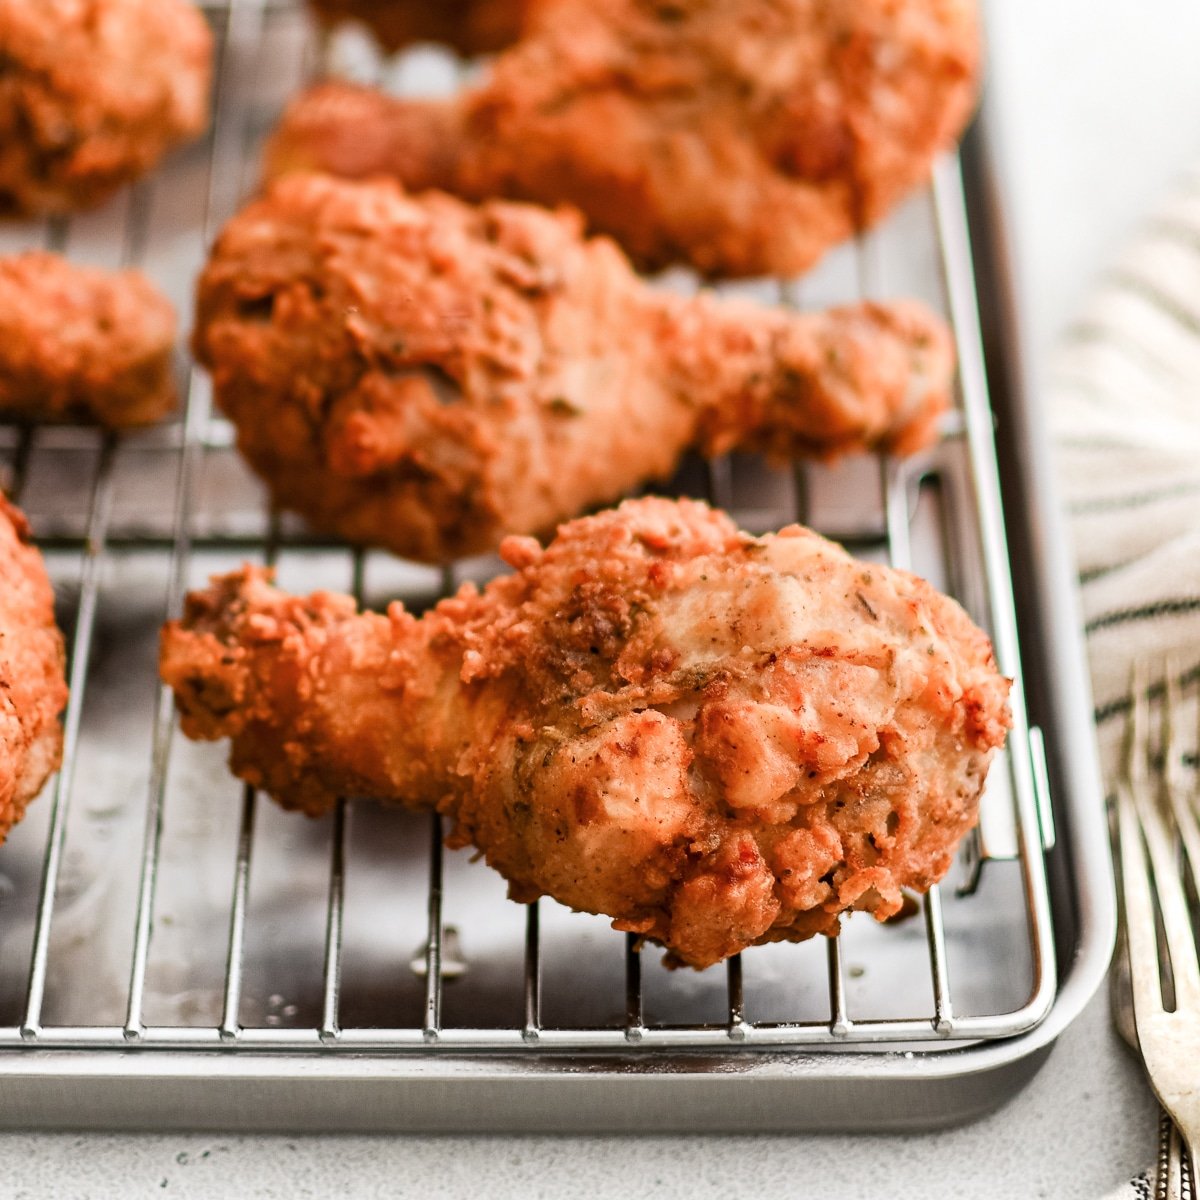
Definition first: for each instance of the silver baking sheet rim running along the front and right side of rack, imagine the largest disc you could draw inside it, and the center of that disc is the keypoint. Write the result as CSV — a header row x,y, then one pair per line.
x,y
748,1091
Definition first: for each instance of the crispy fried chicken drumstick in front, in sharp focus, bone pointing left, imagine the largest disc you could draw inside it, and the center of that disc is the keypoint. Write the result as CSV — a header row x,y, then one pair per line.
x,y
715,740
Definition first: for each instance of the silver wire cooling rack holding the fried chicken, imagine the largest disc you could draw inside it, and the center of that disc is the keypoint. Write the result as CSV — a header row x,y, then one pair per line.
x,y
152,903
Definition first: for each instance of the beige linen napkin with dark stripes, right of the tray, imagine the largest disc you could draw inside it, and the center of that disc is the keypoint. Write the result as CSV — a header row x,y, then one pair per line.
x,y
1125,411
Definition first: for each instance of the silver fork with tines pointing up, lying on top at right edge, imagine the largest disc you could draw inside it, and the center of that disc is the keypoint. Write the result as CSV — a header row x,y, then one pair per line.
x,y
1156,815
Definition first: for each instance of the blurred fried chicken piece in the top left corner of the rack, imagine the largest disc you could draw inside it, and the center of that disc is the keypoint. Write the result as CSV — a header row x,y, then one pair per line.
x,y
93,94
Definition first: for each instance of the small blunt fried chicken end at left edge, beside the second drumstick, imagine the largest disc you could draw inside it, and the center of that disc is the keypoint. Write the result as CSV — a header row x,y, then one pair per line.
x,y
83,345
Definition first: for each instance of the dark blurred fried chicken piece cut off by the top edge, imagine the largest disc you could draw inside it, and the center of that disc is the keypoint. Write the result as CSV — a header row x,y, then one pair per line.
x,y
471,27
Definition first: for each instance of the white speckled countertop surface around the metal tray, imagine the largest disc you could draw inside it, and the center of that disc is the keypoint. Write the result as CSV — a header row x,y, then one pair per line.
x,y
1099,101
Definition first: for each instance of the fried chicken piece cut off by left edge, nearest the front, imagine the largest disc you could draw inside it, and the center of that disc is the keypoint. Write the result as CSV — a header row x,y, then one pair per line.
x,y
33,689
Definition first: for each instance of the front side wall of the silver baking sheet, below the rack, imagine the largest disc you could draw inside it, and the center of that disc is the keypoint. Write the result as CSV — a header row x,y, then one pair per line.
x,y
775,1094
